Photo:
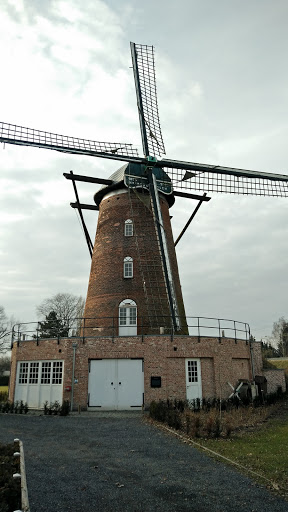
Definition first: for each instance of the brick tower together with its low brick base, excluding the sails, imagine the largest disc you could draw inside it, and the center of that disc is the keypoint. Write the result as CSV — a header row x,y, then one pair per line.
x,y
129,351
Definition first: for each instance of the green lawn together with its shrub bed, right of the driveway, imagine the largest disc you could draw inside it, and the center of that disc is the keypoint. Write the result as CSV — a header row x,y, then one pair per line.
x,y
252,440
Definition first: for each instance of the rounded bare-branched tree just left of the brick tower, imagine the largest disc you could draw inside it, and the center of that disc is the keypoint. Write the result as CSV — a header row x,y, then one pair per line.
x,y
67,308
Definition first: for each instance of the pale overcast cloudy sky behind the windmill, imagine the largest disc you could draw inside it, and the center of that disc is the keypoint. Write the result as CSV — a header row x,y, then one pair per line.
x,y
222,81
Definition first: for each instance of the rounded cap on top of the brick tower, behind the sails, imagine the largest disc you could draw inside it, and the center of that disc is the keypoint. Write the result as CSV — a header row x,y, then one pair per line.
x,y
136,170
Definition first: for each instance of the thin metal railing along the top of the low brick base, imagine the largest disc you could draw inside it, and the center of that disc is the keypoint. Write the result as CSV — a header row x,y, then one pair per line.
x,y
98,327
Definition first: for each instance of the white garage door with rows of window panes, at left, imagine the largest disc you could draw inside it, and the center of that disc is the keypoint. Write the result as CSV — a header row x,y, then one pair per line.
x,y
38,382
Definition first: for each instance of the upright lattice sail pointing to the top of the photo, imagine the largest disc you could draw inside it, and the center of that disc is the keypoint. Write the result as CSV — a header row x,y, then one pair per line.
x,y
147,83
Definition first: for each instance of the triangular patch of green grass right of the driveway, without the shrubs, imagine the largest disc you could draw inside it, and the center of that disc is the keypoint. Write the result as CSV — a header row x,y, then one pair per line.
x,y
264,450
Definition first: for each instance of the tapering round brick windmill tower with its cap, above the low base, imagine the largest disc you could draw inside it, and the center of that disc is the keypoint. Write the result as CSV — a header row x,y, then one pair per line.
x,y
134,280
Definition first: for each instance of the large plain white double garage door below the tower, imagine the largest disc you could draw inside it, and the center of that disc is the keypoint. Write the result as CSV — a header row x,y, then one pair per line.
x,y
116,384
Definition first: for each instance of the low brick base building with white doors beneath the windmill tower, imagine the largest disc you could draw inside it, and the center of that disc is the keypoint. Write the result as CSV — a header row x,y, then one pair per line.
x,y
124,372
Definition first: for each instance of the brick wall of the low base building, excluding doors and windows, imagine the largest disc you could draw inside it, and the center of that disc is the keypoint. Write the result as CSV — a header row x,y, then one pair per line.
x,y
220,362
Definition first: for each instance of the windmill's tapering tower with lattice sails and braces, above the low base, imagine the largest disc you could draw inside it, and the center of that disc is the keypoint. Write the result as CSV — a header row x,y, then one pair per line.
x,y
151,183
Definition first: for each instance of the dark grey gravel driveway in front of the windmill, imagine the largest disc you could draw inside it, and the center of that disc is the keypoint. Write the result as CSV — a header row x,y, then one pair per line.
x,y
115,462
